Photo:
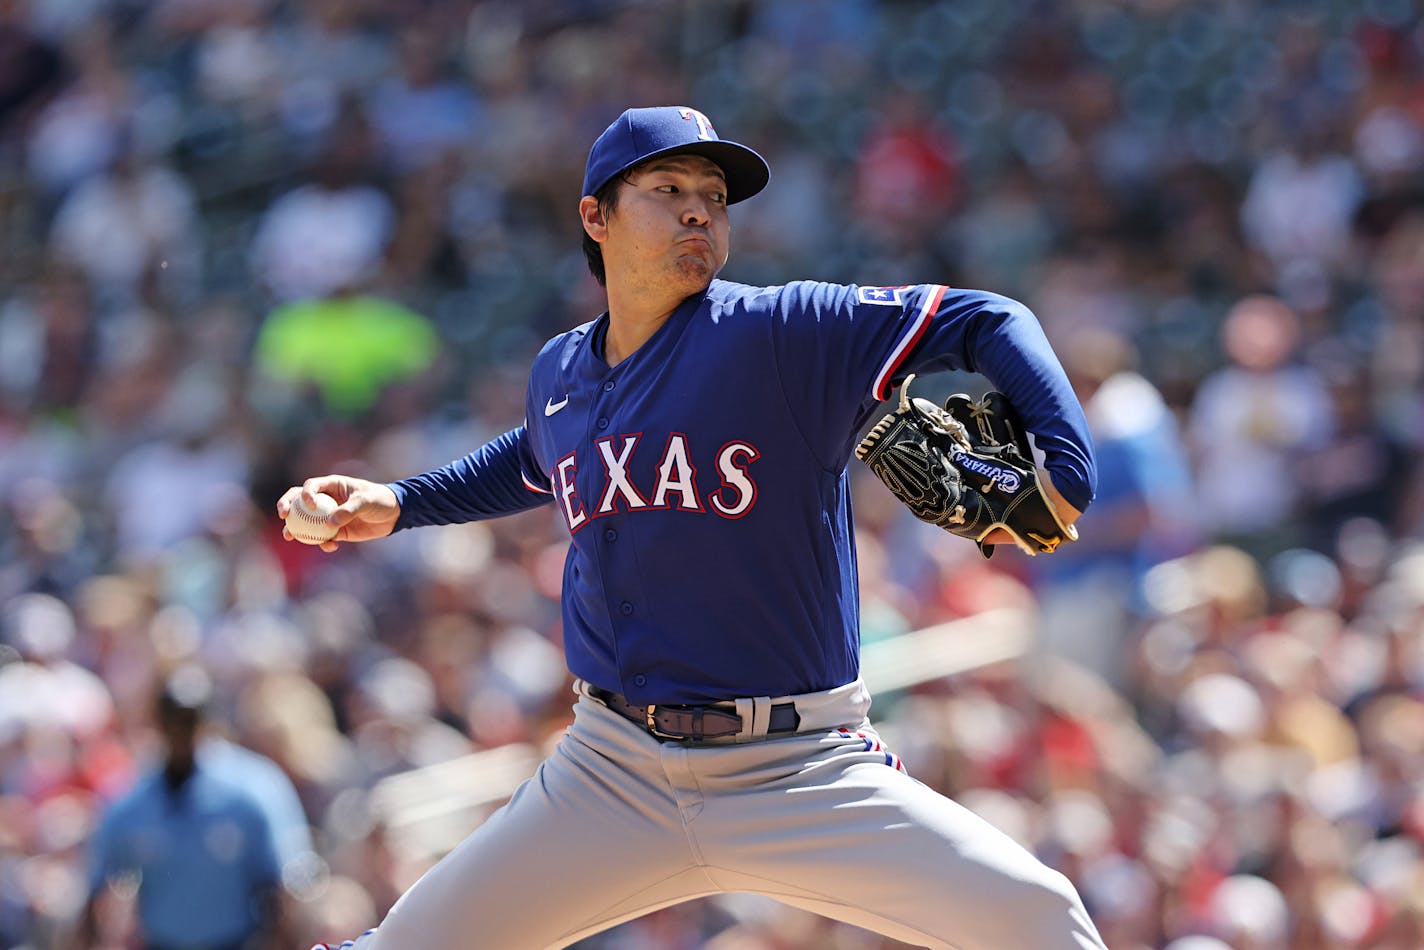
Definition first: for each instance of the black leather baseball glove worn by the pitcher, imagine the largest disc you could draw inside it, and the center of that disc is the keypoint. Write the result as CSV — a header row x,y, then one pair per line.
x,y
968,468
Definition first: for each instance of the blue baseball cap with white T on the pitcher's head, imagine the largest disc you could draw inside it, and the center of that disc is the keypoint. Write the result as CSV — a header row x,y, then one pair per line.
x,y
646,133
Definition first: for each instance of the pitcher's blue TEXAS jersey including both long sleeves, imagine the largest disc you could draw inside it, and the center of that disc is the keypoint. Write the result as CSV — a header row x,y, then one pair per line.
x,y
704,481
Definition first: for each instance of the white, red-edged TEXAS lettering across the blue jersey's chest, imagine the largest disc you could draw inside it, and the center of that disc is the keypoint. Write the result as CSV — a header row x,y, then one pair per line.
x,y
676,488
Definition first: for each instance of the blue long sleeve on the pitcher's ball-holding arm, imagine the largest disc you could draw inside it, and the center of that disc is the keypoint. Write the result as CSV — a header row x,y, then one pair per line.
x,y
499,478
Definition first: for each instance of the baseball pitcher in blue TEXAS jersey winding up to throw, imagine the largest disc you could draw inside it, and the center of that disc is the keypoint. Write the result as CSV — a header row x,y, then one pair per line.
x,y
696,439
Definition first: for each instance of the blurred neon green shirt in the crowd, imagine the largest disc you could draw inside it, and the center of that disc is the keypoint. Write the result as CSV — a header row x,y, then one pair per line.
x,y
350,347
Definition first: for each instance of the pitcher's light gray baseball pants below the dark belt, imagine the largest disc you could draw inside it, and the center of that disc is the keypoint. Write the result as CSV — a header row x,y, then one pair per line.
x,y
616,825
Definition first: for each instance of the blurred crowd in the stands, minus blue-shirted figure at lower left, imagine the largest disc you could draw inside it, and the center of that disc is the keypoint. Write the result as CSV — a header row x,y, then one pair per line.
x,y
250,241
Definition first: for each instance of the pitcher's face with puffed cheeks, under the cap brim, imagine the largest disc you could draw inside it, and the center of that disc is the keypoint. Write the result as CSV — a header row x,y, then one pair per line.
x,y
670,227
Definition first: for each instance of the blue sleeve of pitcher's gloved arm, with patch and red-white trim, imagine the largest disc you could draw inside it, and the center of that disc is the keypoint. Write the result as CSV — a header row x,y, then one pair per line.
x,y
849,347
